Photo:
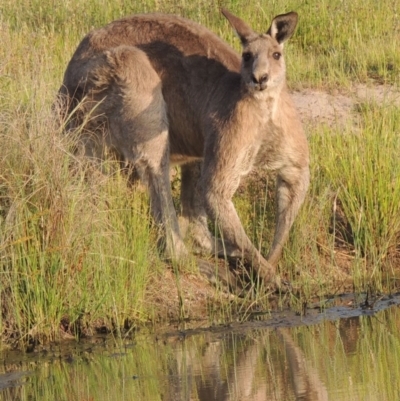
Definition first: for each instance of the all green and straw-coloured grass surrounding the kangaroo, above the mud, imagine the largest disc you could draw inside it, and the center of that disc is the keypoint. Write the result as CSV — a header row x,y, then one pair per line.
x,y
77,246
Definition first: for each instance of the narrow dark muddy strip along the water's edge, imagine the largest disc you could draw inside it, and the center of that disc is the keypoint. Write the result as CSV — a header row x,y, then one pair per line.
x,y
342,306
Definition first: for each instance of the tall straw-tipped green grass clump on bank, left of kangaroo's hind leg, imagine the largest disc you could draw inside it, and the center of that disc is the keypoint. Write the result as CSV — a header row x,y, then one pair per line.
x,y
75,245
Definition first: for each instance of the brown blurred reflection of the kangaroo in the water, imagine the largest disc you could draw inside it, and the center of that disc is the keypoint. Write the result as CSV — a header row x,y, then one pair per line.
x,y
242,369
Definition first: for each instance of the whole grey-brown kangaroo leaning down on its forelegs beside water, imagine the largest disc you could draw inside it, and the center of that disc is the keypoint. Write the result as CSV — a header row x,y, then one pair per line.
x,y
204,108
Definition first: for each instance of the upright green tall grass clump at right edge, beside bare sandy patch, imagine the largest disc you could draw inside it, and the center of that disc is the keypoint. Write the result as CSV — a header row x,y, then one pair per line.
x,y
364,169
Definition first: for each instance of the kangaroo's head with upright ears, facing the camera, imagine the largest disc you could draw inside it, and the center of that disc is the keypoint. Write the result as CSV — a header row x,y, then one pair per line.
x,y
263,64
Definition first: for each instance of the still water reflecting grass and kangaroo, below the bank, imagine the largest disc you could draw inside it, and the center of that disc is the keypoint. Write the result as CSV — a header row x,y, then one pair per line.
x,y
353,358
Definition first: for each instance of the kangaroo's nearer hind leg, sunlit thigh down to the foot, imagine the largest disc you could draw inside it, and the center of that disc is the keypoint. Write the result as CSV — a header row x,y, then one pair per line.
x,y
139,131
